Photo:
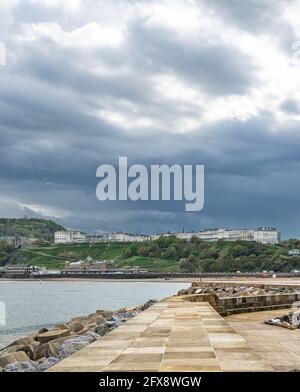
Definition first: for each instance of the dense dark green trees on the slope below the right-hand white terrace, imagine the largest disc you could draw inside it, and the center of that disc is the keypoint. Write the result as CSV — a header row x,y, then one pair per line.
x,y
219,256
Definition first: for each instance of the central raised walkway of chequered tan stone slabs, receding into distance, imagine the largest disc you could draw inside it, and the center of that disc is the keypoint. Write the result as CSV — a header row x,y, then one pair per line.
x,y
169,336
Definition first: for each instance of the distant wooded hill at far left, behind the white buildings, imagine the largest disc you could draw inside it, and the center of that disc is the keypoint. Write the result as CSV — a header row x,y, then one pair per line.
x,y
36,228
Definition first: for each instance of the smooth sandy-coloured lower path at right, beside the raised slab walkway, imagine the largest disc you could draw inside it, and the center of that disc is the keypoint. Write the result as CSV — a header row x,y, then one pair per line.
x,y
280,347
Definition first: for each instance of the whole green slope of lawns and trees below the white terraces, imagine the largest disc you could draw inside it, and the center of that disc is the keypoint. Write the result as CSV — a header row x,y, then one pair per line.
x,y
172,254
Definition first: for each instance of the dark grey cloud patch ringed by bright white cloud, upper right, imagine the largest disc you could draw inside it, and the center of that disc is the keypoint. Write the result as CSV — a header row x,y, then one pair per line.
x,y
215,68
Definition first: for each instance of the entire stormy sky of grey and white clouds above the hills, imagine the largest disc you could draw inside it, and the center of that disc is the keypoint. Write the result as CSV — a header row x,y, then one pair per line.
x,y
159,81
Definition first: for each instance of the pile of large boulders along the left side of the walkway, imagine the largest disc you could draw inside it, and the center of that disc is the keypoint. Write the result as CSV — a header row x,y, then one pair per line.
x,y
44,348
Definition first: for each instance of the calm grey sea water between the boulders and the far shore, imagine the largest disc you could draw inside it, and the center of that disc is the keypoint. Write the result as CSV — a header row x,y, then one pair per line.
x,y
50,302
